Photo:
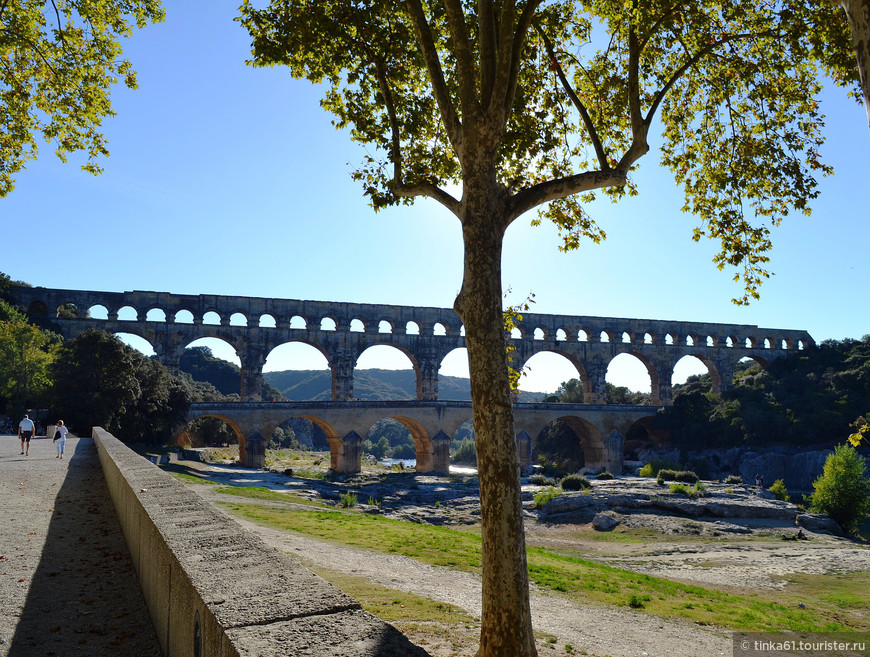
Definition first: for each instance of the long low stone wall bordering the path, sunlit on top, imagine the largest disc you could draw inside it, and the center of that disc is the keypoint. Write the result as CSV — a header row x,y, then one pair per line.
x,y
214,589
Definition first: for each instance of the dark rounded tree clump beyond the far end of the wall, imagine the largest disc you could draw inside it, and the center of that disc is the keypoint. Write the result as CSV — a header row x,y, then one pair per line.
x,y
100,381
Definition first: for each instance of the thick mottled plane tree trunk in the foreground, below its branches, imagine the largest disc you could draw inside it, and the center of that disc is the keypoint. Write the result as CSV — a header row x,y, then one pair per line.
x,y
506,624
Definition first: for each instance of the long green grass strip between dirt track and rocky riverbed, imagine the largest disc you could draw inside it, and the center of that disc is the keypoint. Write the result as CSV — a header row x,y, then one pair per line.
x,y
576,577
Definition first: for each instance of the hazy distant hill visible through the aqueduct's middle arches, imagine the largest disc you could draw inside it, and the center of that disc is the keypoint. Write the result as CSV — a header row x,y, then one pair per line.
x,y
371,385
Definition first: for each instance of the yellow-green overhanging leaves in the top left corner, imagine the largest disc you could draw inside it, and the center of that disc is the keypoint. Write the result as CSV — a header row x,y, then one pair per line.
x,y
59,64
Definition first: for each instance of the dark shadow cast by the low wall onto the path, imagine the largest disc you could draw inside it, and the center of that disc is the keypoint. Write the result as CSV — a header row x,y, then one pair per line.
x,y
84,599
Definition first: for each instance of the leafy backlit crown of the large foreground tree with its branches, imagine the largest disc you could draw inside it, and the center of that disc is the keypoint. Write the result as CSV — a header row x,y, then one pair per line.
x,y
561,96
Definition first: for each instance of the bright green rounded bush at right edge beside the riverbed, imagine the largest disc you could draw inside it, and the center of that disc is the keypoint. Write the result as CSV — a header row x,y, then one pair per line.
x,y
843,489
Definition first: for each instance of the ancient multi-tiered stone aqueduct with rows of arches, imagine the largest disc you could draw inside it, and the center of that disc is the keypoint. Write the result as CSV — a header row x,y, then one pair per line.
x,y
589,343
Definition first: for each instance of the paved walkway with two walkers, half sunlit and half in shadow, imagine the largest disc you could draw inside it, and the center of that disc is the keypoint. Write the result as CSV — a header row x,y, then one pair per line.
x,y
67,585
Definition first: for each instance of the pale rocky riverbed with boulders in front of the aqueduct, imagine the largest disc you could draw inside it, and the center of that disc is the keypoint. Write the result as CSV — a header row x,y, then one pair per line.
x,y
733,535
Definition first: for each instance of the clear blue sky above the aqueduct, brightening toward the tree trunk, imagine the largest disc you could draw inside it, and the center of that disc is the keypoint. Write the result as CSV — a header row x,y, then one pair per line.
x,y
226,179
